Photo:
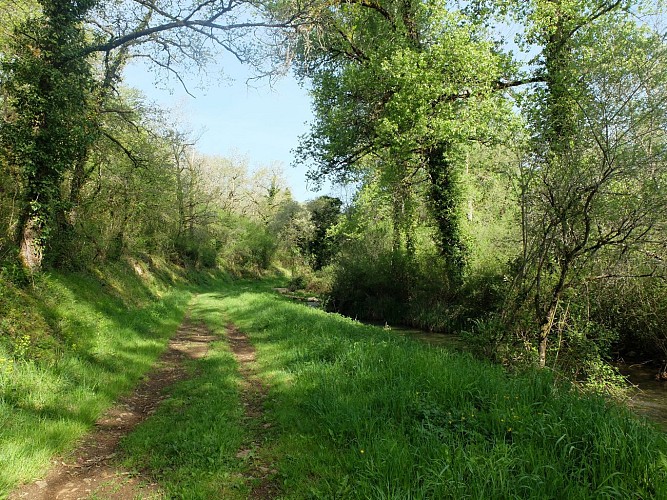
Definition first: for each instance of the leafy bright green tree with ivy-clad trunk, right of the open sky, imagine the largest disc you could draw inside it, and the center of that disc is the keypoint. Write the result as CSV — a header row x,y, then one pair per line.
x,y
403,95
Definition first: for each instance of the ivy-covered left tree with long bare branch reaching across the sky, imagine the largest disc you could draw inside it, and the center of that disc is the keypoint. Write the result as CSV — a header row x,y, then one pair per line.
x,y
53,87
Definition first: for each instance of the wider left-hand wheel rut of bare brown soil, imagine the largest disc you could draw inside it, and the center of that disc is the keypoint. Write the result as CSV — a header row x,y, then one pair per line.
x,y
89,470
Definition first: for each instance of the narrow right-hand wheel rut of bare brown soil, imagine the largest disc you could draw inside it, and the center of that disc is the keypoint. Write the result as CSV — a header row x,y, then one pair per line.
x,y
253,395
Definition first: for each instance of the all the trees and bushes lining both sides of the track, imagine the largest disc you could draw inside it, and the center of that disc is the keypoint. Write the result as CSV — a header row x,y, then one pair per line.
x,y
412,99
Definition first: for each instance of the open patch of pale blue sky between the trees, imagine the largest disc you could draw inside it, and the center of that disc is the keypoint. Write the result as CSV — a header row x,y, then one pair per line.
x,y
260,122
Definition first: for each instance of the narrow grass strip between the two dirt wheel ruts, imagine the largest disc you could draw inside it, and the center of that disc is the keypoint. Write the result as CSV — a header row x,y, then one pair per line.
x,y
189,446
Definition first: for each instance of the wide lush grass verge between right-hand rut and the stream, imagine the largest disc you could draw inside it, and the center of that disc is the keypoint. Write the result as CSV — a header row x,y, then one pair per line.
x,y
360,413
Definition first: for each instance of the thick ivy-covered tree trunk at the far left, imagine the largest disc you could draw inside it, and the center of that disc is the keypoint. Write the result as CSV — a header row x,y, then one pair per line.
x,y
46,129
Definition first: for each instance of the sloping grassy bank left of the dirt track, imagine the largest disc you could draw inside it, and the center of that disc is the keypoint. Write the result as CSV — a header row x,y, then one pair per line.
x,y
69,346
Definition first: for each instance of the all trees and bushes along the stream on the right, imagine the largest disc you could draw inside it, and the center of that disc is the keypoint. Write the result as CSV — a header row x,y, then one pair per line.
x,y
569,192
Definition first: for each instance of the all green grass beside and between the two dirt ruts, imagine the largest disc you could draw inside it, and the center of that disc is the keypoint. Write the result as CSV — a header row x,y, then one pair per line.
x,y
355,411
